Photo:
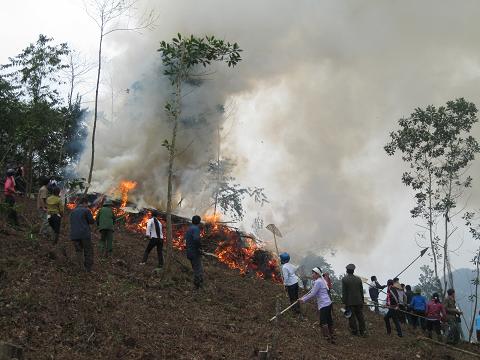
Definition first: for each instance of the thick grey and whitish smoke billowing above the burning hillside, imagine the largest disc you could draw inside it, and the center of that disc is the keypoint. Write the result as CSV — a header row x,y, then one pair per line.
x,y
320,86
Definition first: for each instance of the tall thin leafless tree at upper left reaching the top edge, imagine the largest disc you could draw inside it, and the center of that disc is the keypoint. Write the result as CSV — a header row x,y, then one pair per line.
x,y
106,14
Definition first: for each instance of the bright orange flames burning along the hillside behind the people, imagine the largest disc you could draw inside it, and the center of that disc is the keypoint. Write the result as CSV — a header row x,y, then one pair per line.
x,y
230,246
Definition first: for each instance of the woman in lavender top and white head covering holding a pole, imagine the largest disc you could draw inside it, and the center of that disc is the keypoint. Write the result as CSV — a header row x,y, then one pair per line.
x,y
319,291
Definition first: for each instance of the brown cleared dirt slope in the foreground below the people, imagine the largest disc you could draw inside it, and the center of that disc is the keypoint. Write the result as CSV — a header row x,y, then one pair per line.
x,y
54,310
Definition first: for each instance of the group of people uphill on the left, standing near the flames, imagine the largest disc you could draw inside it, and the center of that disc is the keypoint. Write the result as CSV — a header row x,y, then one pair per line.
x,y
51,211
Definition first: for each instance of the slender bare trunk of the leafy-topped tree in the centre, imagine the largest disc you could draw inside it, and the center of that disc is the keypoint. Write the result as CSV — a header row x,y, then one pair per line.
x,y
171,160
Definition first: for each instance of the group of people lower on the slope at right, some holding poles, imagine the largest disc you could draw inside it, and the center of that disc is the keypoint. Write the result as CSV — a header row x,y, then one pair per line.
x,y
403,306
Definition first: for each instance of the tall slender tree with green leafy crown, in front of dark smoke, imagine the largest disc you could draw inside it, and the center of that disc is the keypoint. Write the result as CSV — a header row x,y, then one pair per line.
x,y
181,59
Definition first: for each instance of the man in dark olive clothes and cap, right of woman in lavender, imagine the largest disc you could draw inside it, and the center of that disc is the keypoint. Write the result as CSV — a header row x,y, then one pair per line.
x,y
352,297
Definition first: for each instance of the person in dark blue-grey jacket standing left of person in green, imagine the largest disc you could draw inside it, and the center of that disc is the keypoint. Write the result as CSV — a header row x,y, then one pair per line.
x,y
80,220
